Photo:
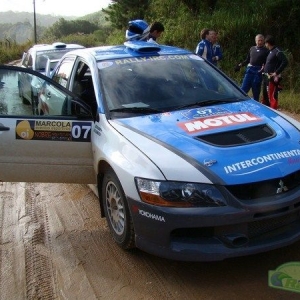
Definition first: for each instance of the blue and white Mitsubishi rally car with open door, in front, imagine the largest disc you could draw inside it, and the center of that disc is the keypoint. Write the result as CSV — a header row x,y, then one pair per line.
x,y
186,165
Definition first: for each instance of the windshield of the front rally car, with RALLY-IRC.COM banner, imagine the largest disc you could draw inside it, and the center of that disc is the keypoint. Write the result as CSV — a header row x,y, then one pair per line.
x,y
163,83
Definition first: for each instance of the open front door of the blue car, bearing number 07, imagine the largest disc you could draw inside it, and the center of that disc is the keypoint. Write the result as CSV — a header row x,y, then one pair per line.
x,y
37,148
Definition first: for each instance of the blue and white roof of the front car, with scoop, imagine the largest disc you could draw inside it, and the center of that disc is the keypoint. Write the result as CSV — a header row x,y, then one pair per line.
x,y
127,50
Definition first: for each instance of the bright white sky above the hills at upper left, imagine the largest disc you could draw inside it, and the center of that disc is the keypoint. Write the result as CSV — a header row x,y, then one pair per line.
x,y
74,8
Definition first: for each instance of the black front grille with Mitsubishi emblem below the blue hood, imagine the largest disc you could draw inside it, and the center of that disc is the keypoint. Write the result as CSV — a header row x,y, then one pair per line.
x,y
255,190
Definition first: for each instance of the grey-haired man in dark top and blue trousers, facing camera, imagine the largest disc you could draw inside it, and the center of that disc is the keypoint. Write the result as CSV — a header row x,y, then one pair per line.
x,y
255,61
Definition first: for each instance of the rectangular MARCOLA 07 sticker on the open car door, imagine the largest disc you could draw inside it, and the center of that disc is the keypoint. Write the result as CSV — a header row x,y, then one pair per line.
x,y
53,130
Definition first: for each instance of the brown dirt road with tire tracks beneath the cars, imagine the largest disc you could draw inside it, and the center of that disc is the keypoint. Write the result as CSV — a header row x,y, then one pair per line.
x,y
53,245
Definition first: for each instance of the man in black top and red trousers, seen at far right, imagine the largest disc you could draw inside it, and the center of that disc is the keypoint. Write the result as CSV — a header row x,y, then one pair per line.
x,y
276,62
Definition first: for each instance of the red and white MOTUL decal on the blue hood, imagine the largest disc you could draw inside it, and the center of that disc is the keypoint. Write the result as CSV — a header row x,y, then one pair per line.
x,y
213,122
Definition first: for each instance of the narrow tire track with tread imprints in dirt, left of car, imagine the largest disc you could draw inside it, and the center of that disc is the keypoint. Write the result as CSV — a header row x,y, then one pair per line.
x,y
40,279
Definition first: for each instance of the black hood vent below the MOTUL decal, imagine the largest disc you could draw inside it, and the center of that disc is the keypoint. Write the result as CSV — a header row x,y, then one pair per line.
x,y
239,137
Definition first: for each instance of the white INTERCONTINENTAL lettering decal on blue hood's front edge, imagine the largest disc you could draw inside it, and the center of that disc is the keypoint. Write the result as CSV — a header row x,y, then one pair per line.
x,y
263,161
